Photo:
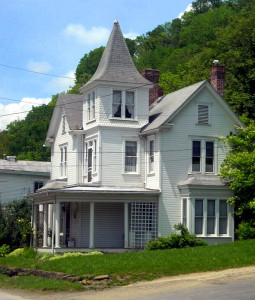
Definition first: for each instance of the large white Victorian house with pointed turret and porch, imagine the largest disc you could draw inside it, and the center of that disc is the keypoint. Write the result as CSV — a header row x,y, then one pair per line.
x,y
123,172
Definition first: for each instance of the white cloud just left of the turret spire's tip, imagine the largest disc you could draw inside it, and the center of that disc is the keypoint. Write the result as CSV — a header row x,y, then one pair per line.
x,y
93,36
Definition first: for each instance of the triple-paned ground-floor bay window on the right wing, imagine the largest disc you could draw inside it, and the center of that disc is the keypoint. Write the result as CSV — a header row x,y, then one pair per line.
x,y
210,216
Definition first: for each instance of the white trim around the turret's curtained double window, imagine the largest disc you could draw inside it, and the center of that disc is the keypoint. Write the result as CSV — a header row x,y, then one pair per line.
x,y
123,105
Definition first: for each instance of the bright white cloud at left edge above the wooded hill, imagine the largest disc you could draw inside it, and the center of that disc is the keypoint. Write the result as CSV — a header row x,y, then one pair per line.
x,y
18,111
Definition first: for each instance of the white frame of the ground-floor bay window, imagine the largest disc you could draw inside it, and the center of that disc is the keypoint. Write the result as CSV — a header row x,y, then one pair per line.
x,y
205,217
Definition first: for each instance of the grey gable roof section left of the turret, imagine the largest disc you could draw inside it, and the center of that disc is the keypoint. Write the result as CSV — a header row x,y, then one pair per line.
x,y
71,106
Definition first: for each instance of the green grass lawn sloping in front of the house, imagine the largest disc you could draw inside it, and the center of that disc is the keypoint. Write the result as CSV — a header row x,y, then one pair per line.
x,y
130,267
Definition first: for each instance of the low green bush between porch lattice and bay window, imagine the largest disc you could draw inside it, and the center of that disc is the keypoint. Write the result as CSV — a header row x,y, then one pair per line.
x,y
176,240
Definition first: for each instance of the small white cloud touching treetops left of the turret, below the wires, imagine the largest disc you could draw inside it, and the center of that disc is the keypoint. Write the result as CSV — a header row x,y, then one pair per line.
x,y
61,84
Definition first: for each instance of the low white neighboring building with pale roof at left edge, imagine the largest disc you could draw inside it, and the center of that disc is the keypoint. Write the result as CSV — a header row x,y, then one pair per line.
x,y
18,178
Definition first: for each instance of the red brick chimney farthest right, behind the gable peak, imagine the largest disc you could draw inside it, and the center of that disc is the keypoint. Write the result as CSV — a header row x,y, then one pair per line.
x,y
218,78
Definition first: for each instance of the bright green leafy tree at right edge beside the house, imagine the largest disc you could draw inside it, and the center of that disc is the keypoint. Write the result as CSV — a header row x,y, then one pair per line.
x,y
238,169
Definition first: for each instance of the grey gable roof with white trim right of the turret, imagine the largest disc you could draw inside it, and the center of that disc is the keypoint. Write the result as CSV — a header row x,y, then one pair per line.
x,y
166,107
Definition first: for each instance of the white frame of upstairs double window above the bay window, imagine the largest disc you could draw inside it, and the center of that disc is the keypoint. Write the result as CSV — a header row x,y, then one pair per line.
x,y
203,157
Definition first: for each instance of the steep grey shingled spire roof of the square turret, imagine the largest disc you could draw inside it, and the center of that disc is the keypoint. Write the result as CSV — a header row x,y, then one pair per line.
x,y
116,64
